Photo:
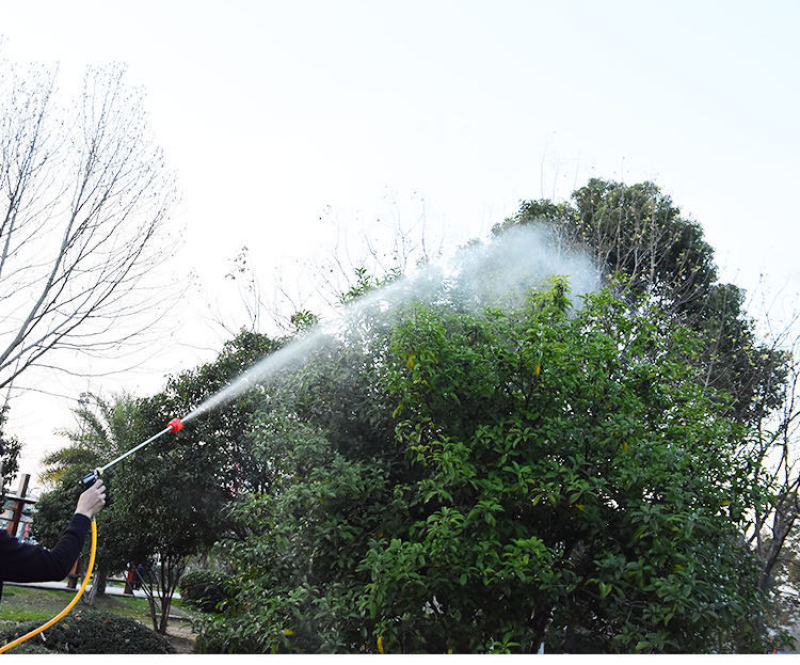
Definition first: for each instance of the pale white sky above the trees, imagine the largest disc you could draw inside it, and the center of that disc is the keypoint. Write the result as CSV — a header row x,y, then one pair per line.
x,y
273,114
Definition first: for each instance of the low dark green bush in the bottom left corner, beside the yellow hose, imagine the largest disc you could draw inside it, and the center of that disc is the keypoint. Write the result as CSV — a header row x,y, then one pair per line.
x,y
87,631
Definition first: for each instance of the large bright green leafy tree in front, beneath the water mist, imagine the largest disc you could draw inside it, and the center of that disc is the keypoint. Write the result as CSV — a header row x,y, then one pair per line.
x,y
581,490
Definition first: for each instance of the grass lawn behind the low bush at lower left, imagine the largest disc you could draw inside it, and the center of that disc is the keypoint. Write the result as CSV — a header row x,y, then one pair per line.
x,y
28,604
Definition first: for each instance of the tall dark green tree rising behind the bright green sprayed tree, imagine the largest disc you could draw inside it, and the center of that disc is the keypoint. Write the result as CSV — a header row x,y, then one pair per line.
x,y
637,231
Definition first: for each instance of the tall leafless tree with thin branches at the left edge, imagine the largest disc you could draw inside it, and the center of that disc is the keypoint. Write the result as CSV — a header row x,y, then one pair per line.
x,y
84,197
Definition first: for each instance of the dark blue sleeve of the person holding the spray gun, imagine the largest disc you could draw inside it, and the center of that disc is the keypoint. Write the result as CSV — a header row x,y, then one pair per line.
x,y
21,562
